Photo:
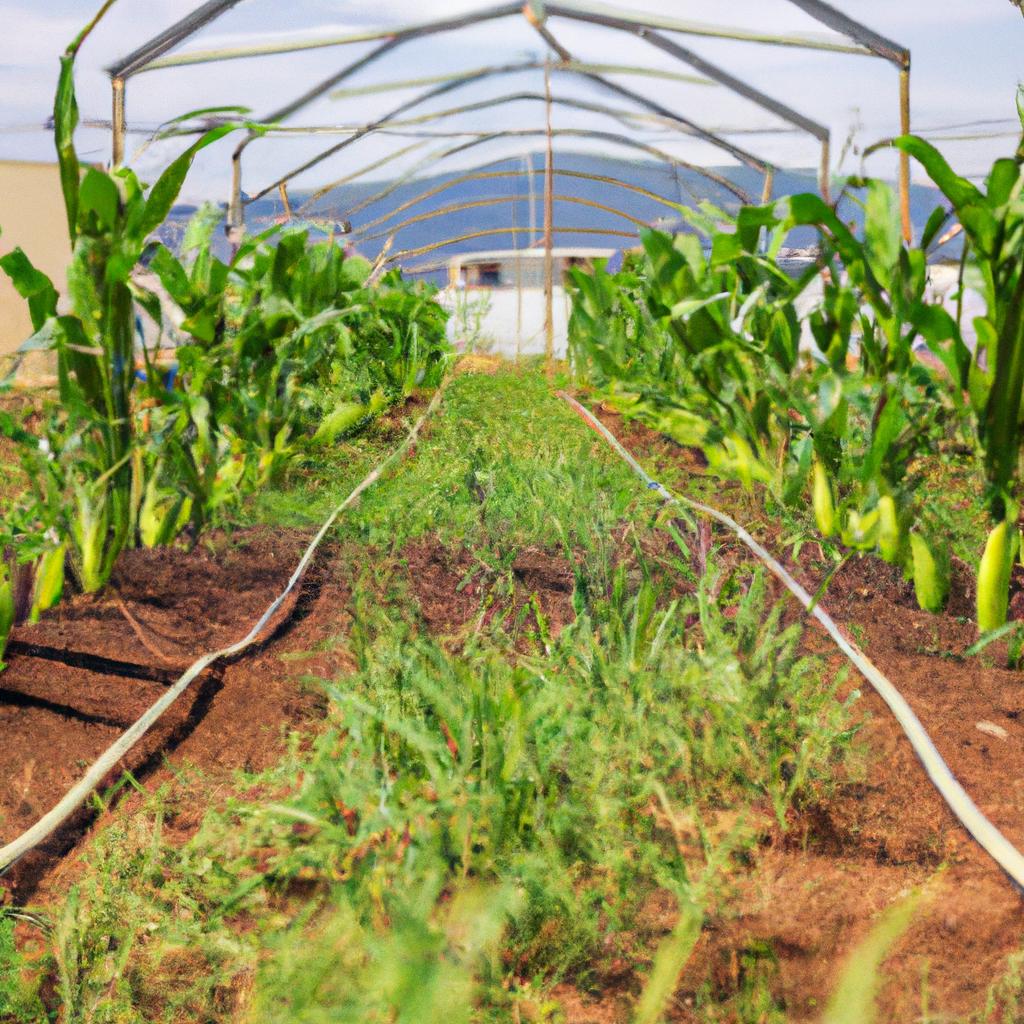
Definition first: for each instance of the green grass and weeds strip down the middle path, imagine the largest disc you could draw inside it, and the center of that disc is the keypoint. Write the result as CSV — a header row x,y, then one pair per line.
x,y
470,829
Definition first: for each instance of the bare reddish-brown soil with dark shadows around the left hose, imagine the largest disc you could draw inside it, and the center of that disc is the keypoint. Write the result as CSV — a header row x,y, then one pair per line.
x,y
164,609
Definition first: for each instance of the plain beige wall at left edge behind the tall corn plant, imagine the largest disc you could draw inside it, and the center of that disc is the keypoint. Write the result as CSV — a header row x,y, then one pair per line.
x,y
32,216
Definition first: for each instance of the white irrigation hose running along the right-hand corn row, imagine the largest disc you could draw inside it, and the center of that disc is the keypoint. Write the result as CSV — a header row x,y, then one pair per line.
x,y
966,810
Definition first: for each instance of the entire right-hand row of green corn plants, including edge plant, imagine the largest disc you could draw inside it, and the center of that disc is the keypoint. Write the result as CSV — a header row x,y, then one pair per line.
x,y
700,335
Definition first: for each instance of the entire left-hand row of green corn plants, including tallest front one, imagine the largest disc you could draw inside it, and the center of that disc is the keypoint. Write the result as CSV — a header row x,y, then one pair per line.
x,y
260,362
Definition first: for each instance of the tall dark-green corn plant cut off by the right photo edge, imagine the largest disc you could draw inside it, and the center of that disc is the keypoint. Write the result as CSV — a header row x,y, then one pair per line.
x,y
993,377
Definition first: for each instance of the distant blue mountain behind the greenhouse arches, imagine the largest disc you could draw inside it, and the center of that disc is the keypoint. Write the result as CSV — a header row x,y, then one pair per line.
x,y
379,209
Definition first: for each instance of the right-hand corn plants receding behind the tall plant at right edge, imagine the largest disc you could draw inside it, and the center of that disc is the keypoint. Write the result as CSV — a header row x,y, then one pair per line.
x,y
705,345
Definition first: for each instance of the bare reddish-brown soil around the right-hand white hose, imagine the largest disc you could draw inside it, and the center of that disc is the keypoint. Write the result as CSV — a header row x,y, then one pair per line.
x,y
816,889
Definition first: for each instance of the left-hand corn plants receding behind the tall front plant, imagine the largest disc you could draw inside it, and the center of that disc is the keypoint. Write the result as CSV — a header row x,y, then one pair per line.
x,y
288,349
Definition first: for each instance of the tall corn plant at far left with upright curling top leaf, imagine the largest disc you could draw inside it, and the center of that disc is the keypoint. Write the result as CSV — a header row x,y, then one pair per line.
x,y
110,219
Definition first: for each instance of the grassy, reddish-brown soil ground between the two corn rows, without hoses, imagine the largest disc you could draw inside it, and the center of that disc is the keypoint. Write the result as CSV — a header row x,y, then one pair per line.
x,y
520,734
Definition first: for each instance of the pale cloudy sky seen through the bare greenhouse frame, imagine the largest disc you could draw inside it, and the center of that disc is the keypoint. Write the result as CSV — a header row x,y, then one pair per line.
x,y
968,58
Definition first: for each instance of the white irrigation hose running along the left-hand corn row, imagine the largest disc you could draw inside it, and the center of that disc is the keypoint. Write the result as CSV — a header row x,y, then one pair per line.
x,y
78,795
